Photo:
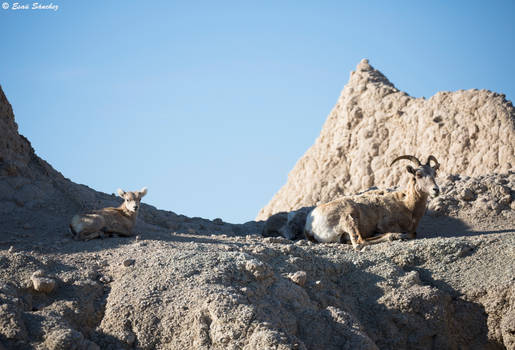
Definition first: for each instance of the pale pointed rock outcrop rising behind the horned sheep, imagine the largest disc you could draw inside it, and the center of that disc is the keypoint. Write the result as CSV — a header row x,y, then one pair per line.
x,y
470,132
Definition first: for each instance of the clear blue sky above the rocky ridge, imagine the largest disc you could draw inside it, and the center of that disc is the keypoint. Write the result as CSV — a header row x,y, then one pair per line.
x,y
210,103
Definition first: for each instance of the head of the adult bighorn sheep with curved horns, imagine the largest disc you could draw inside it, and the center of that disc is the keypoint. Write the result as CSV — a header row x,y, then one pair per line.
x,y
424,174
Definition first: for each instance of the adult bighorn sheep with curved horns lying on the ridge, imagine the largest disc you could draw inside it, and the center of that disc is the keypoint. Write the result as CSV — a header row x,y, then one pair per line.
x,y
393,215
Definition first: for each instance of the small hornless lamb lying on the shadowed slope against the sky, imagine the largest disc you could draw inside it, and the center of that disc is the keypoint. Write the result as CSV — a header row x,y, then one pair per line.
x,y
110,220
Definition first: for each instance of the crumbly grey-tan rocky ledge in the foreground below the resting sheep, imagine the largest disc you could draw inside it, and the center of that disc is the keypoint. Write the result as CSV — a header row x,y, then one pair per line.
x,y
188,292
